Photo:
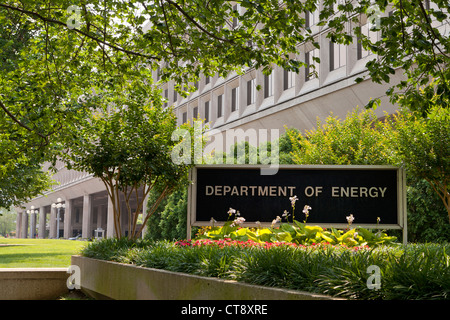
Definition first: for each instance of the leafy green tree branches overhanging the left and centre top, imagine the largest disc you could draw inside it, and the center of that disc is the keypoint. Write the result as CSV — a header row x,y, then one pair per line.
x,y
55,55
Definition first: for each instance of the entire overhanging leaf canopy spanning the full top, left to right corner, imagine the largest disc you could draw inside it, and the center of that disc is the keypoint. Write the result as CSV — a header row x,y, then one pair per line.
x,y
57,56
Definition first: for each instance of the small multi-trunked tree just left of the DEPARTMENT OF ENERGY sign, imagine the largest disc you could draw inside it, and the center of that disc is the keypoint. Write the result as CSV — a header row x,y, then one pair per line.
x,y
128,144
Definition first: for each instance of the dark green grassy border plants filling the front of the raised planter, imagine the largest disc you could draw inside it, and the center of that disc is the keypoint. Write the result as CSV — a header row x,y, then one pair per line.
x,y
415,271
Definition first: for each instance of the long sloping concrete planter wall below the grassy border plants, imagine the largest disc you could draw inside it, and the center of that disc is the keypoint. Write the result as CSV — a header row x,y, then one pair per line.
x,y
111,280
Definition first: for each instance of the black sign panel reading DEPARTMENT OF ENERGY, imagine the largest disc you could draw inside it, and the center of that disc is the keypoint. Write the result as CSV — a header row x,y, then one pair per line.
x,y
333,193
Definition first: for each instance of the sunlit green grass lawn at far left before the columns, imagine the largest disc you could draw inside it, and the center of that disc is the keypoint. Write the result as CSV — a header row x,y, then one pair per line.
x,y
37,253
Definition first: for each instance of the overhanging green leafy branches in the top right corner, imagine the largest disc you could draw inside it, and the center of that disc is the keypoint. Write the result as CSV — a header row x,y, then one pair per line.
x,y
413,38
